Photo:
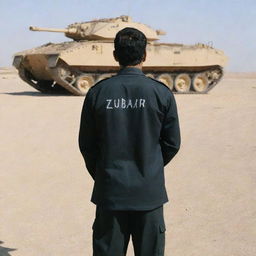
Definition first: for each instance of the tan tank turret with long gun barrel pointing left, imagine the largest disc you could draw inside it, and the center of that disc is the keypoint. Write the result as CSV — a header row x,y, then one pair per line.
x,y
102,29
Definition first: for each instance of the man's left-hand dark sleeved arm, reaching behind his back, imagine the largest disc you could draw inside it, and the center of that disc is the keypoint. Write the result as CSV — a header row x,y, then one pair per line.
x,y
87,136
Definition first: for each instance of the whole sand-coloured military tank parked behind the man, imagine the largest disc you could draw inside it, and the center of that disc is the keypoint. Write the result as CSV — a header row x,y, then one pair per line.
x,y
74,66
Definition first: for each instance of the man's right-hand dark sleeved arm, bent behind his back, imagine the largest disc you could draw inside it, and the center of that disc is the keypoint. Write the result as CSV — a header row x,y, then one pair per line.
x,y
170,132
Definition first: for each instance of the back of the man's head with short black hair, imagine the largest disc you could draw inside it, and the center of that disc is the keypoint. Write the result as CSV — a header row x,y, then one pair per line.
x,y
130,46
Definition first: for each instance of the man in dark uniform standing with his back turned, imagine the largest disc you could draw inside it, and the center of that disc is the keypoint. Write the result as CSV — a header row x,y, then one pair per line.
x,y
129,130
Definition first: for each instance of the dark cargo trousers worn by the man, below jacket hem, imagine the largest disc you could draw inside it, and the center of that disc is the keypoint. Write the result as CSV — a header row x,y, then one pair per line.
x,y
112,231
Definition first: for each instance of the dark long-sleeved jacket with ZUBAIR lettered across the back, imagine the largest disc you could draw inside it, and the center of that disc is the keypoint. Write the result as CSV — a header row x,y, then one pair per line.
x,y
129,130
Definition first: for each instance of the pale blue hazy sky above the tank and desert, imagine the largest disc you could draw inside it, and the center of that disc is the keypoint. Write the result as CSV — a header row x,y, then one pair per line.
x,y
229,24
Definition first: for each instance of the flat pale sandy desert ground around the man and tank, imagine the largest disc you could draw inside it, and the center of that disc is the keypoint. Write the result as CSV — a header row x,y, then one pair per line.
x,y
45,190
